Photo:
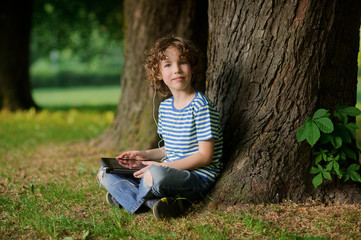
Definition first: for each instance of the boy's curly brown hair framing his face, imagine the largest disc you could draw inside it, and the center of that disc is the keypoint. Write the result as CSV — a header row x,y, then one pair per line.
x,y
157,53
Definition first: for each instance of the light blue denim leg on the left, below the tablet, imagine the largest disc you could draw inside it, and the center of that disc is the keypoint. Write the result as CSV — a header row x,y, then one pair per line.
x,y
128,191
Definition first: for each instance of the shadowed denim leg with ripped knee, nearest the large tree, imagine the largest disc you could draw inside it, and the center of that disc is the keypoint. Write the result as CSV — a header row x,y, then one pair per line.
x,y
171,182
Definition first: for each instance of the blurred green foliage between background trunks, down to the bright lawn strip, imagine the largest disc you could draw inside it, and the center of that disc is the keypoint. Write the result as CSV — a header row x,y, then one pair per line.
x,y
76,43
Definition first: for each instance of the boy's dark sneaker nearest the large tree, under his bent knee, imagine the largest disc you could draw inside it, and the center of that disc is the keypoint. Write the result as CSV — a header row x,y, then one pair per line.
x,y
167,208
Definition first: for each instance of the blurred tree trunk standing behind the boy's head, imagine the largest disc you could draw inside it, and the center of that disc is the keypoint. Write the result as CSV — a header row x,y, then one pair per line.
x,y
146,21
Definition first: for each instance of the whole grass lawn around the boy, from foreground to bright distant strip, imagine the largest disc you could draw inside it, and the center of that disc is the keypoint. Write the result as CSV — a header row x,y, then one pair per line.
x,y
48,188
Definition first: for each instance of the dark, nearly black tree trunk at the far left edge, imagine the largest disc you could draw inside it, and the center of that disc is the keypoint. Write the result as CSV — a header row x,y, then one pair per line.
x,y
15,90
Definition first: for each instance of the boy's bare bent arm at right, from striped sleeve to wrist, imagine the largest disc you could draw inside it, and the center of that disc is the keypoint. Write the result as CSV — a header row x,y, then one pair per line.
x,y
201,158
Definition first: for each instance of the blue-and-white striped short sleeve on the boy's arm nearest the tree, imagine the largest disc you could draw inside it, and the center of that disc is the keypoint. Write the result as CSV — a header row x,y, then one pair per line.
x,y
207,123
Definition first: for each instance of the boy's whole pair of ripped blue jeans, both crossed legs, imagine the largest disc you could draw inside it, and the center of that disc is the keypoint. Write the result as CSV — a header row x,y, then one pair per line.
x,y
167,182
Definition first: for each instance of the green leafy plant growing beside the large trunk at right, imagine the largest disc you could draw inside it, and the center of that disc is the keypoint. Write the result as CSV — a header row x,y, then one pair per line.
x,y
332,138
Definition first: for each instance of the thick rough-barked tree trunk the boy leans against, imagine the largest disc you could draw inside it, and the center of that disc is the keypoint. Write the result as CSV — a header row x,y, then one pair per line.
x,y
270,64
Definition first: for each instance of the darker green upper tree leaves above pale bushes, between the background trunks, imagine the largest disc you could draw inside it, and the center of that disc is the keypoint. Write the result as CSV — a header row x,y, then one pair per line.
x,y
59,24
